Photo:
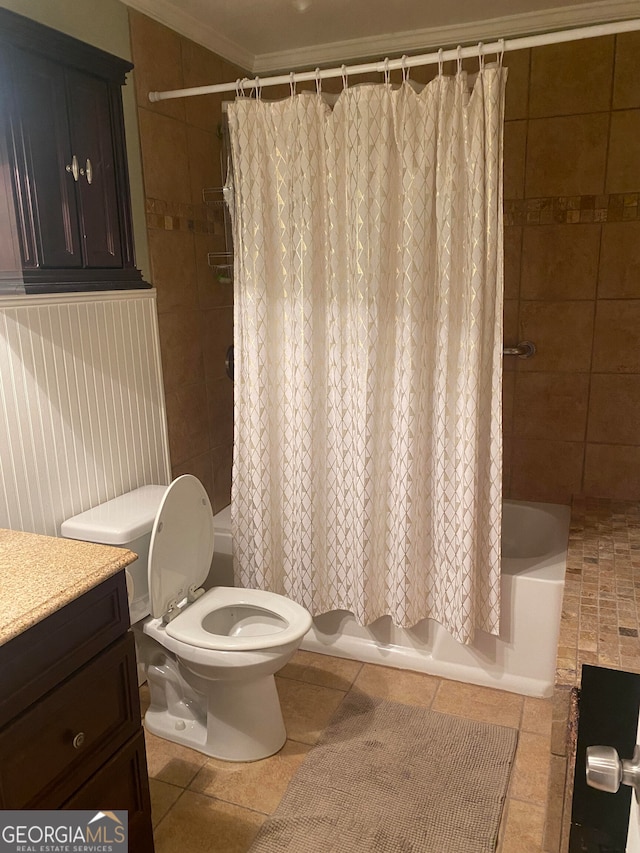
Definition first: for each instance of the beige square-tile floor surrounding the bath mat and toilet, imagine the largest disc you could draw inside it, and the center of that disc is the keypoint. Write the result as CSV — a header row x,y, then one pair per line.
x,y
202,804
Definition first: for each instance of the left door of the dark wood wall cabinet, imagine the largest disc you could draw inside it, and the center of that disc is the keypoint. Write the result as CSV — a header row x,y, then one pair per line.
x,y
44,189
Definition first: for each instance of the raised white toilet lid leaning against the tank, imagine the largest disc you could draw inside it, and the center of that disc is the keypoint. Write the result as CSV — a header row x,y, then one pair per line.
x,y
181,546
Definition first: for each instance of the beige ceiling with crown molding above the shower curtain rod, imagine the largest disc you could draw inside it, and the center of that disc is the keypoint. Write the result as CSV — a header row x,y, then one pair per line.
x,y
269,35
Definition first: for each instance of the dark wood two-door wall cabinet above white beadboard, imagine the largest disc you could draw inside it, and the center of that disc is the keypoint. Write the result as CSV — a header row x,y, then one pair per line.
x,y
63,127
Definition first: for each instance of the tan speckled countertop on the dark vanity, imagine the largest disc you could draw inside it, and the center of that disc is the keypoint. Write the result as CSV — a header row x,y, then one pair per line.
x,y
40,574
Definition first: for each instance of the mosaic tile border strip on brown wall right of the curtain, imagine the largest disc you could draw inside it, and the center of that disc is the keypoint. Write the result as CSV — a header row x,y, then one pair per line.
x,y
567,210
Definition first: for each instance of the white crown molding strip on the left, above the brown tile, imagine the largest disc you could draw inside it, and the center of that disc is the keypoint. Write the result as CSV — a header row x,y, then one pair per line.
x,y
169,13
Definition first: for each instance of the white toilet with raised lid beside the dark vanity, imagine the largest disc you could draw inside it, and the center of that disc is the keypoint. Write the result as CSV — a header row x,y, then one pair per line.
x,y
209,656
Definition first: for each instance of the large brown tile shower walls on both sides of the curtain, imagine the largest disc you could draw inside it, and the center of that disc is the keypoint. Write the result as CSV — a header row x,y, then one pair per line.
x,y
572,261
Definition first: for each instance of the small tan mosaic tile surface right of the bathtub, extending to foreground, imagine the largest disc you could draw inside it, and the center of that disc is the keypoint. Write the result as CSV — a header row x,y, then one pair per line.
x,y
600,625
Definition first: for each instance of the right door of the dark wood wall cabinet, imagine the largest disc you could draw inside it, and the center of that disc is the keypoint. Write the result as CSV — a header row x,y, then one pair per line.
x,y
91,123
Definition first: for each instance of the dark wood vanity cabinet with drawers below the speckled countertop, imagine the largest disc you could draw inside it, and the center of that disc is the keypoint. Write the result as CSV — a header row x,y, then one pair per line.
x,y
70,723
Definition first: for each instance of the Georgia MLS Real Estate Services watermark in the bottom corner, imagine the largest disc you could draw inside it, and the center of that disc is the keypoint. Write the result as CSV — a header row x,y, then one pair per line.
x,y
64,832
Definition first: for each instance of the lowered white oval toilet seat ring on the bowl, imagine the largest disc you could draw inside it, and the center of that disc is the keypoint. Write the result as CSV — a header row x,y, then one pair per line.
x,y
259,620
